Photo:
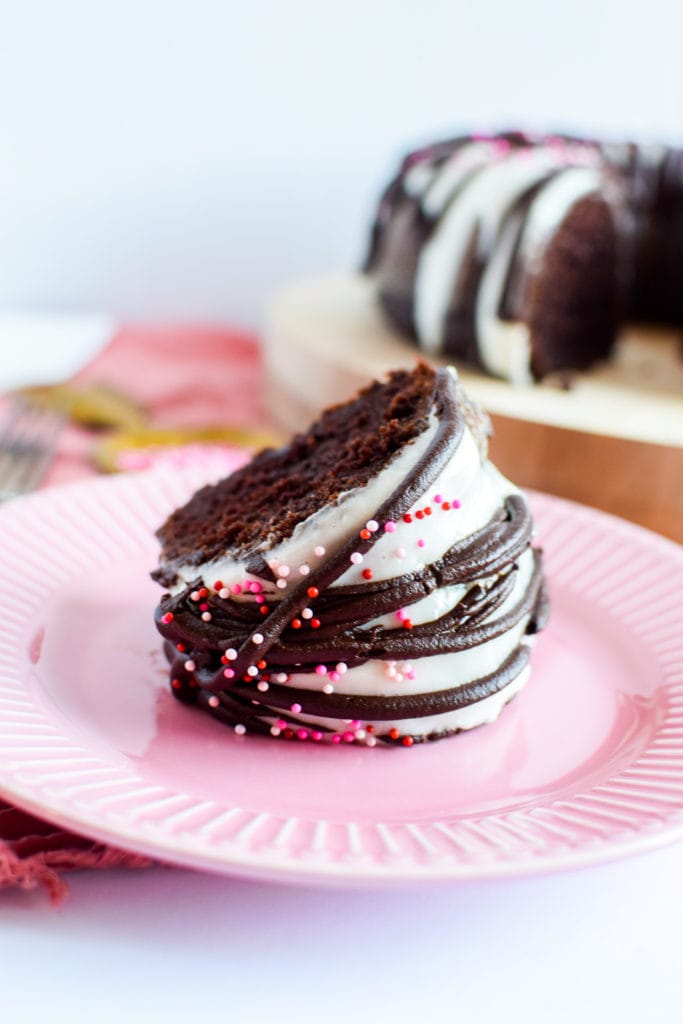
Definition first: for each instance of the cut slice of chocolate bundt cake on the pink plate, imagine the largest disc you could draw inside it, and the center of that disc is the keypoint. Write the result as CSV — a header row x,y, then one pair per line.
x,y
372,581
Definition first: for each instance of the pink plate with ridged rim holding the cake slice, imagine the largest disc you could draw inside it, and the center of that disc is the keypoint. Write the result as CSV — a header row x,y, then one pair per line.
x,y
585,765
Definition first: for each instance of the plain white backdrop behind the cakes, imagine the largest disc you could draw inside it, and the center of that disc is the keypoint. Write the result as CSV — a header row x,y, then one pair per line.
x,y
167,160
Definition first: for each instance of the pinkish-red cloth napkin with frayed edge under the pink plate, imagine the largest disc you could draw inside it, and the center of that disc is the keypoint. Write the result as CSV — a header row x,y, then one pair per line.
x,y
184,376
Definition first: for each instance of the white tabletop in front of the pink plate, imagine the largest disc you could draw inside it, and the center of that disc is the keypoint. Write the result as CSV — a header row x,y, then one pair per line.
x,y
596,946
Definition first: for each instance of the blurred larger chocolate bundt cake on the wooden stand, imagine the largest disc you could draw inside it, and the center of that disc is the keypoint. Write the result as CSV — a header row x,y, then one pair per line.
x,y
522,255
